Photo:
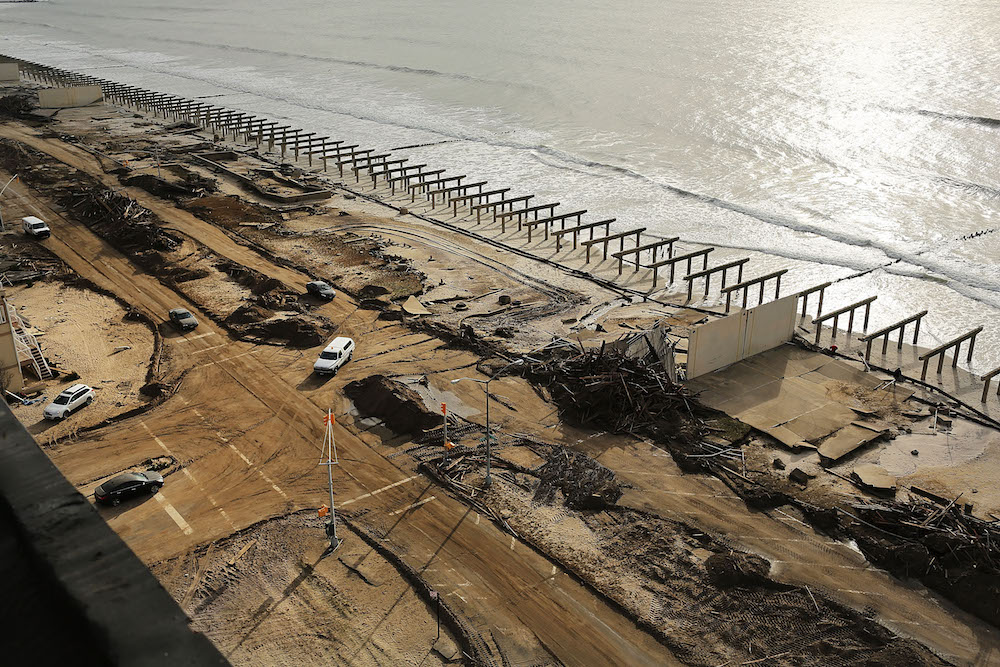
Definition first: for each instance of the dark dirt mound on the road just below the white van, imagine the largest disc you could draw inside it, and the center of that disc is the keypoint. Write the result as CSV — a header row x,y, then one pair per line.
x,y
393,402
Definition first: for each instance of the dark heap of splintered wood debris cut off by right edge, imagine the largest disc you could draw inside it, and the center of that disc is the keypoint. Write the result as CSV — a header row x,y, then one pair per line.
x,y
949,550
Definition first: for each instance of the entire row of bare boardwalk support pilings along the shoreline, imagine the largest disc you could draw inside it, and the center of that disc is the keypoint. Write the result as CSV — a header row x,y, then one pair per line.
x,y
414,179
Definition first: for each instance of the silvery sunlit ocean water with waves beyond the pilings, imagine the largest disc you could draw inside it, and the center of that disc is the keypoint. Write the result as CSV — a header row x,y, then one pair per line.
x,y
854,141
